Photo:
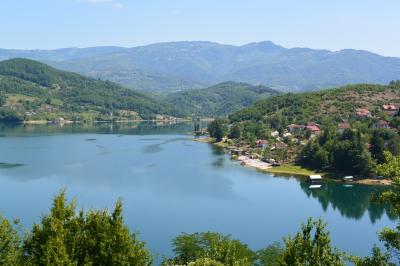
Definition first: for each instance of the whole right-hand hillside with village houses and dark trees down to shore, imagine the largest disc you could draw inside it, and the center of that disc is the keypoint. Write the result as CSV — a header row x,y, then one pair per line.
x,y
339,132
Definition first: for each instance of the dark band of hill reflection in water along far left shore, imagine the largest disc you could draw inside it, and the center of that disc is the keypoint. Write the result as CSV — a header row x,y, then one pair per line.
x,y
143,128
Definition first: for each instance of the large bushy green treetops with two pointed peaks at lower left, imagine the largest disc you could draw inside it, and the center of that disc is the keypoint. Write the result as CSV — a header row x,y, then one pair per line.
x,y
93,238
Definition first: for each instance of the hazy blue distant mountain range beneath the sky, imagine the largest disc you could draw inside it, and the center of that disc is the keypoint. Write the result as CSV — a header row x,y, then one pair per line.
x,y
167,67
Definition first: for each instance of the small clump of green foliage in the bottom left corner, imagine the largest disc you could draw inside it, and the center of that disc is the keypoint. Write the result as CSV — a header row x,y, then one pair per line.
x,y
10,244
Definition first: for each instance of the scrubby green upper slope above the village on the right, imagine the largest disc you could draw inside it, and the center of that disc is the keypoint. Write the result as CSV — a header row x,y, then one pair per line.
x,y
333,104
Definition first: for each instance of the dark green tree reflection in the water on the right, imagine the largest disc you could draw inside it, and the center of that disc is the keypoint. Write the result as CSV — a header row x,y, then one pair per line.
x,y
351,201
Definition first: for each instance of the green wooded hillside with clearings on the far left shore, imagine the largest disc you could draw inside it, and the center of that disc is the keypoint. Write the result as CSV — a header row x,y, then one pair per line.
x,y
30,90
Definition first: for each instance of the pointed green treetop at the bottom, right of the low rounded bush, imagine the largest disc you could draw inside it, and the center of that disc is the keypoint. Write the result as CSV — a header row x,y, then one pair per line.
x,y
311,246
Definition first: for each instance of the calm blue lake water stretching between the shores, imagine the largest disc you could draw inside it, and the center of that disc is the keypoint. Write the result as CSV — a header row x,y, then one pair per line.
x,y
170,184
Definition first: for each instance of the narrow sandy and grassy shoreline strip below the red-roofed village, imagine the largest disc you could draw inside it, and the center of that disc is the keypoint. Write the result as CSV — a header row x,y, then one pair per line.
x,y
291,169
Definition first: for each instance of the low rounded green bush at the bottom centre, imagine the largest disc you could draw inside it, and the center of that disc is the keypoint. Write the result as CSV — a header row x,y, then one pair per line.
x,y
223,249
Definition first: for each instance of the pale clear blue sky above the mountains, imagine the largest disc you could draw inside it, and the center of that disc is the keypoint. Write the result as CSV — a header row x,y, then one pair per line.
x,y
372,25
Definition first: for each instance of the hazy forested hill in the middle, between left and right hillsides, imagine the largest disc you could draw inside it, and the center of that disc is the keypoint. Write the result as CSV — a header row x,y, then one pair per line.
x,y
219,100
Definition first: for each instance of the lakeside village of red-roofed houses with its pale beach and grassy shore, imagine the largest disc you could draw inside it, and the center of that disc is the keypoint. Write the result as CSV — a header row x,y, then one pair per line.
x,y
278,155
